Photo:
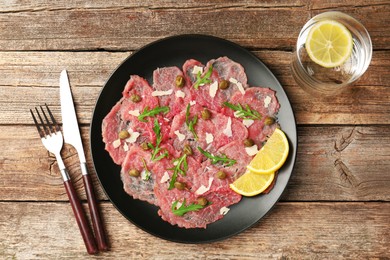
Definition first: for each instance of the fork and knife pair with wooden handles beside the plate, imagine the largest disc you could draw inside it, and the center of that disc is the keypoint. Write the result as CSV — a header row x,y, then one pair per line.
x,y
53,140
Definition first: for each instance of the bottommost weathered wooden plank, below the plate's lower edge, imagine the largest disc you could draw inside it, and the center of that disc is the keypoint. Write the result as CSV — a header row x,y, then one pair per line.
x,y
290,231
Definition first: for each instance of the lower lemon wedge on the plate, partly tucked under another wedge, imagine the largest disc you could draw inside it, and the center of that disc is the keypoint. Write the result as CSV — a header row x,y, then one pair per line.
x,y
251,184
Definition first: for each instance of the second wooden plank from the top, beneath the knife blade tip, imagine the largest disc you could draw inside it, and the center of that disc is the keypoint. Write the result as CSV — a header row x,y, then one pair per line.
x,y
31,78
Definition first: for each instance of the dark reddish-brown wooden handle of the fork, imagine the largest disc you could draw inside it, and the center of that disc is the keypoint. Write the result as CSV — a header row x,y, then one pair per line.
x,y
81,219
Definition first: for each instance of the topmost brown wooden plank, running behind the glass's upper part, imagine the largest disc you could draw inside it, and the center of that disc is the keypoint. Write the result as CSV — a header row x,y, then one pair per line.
x,y
87,26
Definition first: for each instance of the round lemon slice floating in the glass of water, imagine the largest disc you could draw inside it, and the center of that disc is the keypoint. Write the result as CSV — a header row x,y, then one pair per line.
x,y
329,43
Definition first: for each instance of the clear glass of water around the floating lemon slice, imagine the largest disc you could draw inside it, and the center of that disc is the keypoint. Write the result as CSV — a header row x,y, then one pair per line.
x,y
322,81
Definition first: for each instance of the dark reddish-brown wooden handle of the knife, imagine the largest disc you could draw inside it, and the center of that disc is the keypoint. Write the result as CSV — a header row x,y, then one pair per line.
x,y
95,215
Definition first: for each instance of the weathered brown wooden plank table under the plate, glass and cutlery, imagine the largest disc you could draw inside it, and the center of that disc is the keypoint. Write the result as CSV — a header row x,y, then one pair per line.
x,y
337,204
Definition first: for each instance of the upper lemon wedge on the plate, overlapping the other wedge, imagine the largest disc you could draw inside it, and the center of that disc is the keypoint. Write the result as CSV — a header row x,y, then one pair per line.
x,y
272,155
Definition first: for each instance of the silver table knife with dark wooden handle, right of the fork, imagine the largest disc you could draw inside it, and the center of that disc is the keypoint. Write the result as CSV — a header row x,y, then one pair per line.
x,y
72,136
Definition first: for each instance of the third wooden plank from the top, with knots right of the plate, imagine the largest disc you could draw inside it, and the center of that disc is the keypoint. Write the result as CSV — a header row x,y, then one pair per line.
x,y
333,163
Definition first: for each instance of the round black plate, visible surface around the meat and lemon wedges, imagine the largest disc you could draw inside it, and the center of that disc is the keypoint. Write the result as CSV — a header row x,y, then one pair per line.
x,y
175,51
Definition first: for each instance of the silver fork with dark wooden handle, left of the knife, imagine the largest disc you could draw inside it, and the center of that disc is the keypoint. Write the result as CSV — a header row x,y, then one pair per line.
x,y
52,139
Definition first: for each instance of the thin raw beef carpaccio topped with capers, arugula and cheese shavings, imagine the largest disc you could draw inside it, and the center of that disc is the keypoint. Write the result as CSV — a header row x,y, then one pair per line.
x,y
183,138
